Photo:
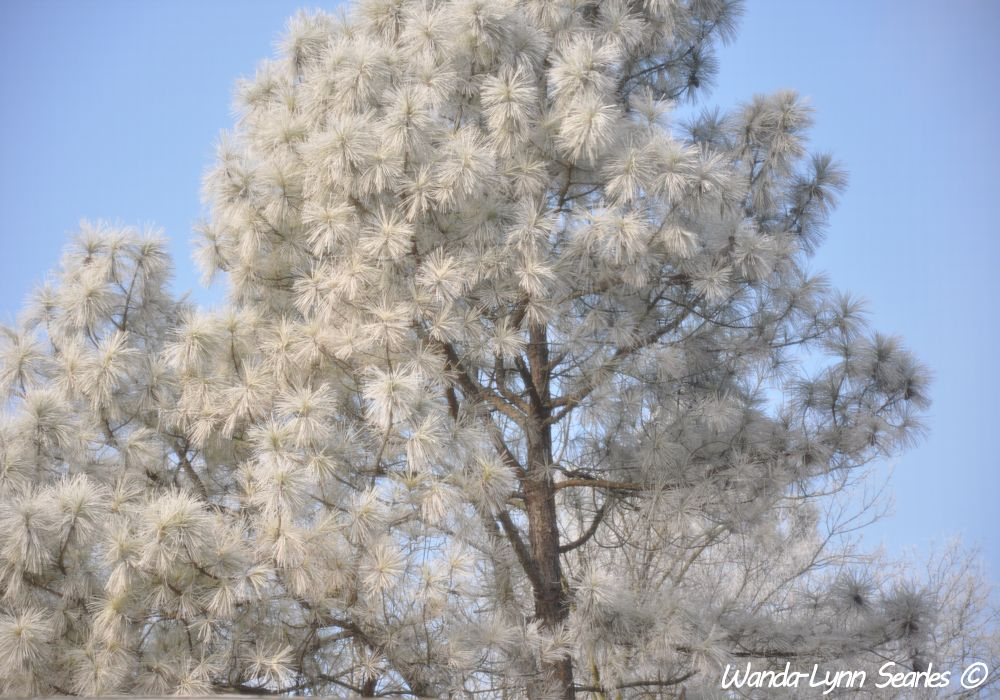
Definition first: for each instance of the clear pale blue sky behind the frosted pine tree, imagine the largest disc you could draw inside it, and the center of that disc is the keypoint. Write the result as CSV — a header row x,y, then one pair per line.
x,y
110,110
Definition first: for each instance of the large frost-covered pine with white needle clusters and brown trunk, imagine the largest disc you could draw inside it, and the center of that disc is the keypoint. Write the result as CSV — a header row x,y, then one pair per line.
x,y
522,388
